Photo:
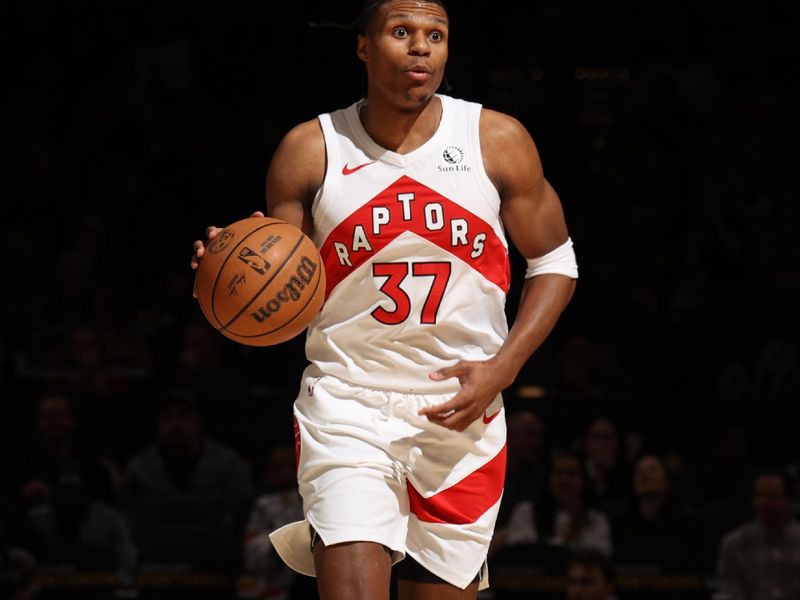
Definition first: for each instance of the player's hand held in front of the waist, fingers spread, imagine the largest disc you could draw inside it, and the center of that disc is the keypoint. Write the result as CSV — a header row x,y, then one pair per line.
x,y
480,381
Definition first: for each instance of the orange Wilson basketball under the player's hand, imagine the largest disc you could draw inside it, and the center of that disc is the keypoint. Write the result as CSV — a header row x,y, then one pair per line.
x,y
261,281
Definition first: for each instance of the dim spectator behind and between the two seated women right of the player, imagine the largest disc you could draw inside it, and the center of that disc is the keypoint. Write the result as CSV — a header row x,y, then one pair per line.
x,y
609,475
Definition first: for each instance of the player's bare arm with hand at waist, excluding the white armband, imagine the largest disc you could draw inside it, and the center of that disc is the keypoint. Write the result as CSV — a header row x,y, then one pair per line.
x,y
532,214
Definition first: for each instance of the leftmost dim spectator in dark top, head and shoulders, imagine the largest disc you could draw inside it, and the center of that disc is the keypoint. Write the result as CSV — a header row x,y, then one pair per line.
x,y
55,451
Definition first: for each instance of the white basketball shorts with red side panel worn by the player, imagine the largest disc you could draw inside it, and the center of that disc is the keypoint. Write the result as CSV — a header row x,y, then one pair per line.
x,y
371,469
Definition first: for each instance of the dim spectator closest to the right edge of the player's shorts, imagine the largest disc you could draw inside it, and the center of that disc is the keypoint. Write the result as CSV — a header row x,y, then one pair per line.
x,y
526,465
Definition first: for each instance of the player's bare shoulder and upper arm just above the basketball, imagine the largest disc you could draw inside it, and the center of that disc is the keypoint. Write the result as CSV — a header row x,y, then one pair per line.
x,y
295,174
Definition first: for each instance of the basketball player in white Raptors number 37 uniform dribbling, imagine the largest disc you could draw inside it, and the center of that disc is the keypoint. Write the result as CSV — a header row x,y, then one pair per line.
x,y
400,428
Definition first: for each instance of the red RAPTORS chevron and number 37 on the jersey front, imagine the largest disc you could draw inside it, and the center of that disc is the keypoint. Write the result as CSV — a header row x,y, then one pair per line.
x,y
409,234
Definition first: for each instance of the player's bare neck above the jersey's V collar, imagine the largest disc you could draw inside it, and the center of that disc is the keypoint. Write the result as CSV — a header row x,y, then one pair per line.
x,y
400,131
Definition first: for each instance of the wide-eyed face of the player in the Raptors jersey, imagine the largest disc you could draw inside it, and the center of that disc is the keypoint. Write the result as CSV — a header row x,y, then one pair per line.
x,y
405,51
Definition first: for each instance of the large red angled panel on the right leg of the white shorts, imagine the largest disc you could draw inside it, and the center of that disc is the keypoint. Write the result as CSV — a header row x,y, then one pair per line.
x,y
467,500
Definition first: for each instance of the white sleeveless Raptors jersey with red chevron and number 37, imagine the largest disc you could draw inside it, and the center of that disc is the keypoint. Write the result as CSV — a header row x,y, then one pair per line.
x,y
415,255
